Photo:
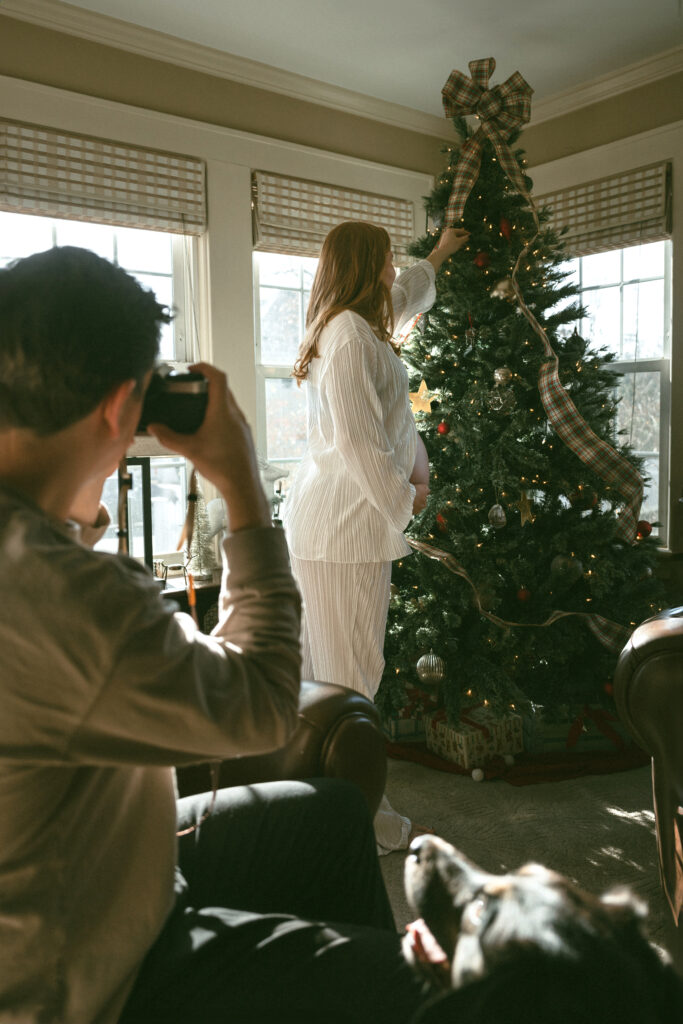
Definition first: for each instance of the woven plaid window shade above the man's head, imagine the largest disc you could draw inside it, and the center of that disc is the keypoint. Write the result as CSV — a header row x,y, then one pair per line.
x,y
58,175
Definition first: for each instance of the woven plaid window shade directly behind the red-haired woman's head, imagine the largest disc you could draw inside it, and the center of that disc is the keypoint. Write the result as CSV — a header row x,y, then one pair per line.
x,y
291,216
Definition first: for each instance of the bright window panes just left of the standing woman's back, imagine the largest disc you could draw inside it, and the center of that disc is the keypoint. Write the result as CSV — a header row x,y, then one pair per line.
x,y
282,289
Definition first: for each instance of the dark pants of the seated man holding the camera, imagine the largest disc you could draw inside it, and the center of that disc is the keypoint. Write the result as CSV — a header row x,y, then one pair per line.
x,y
245,944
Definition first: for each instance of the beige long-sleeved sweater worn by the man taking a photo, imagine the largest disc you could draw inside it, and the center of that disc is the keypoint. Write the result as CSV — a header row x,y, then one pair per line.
x,y
103,689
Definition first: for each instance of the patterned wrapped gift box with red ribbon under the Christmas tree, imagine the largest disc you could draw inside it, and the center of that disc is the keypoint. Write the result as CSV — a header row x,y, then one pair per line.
x,y
479,737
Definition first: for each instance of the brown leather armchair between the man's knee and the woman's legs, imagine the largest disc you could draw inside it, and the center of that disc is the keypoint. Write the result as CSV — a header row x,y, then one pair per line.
x,y
339,736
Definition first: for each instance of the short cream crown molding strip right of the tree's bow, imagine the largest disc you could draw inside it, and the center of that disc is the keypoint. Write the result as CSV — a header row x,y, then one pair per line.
x,y
609,87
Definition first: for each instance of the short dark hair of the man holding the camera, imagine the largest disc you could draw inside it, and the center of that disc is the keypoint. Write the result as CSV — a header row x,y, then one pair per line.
x,y
72,327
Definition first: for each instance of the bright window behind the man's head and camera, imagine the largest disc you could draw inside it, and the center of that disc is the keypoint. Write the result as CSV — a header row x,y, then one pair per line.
x,y
160,262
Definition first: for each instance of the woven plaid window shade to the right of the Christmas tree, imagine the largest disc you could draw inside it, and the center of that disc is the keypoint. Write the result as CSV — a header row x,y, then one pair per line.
x,y
622,210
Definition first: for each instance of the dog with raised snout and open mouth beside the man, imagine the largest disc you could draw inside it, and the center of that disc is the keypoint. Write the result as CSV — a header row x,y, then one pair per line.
x,y
529,948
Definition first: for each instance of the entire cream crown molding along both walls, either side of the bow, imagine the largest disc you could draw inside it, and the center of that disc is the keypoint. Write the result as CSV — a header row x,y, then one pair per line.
x,y
159,47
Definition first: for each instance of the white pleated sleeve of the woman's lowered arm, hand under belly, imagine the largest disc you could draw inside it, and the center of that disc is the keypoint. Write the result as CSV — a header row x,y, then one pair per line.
x,y
349,388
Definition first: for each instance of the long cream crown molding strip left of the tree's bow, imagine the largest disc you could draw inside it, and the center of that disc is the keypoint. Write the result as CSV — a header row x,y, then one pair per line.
x,y
160,47
